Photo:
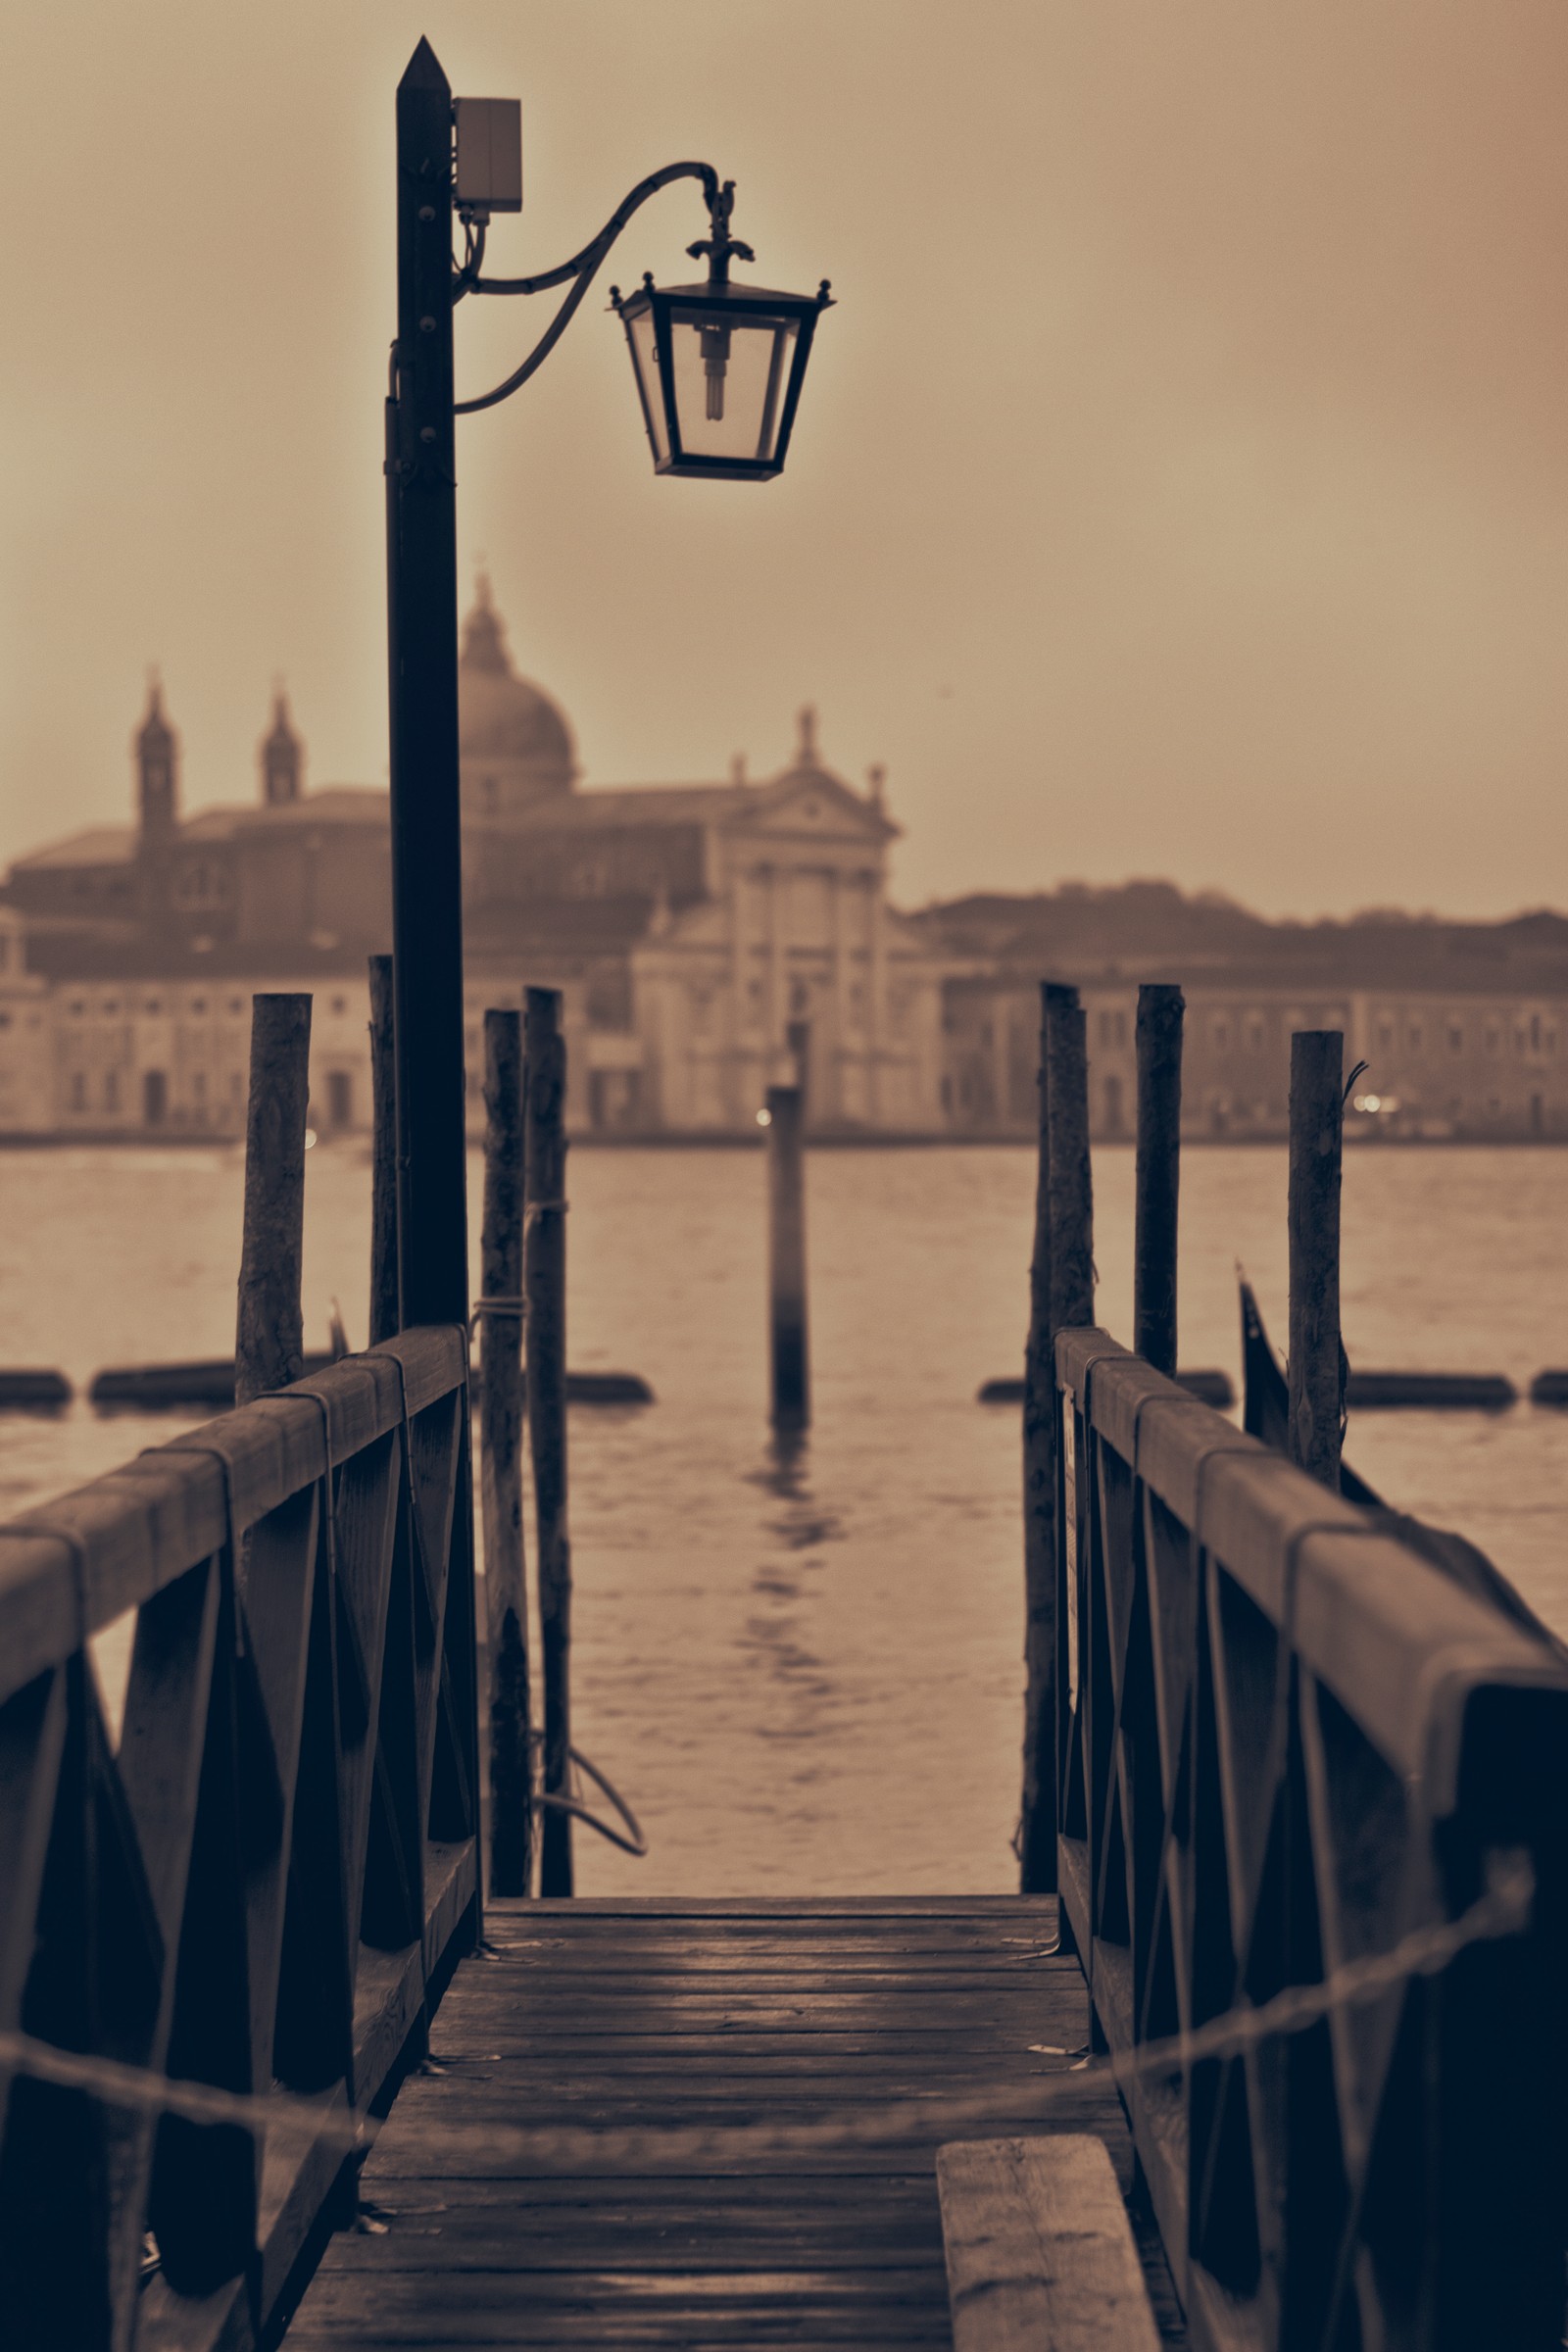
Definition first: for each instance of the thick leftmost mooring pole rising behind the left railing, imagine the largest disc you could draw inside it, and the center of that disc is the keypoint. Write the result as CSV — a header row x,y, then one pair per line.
x,y
269,1330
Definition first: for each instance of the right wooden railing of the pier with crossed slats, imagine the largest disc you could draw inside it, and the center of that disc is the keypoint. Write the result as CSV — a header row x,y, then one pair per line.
x,y
1287,1742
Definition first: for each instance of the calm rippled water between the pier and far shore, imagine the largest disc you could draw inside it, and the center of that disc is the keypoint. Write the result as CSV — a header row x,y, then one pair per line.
x,y
808,1673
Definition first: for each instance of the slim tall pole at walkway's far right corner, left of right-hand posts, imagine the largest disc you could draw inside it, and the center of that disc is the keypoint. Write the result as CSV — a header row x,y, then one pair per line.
x,y
1038,1822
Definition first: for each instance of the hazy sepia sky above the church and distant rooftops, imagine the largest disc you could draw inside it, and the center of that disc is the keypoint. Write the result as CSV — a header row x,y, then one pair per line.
x,y
1179,486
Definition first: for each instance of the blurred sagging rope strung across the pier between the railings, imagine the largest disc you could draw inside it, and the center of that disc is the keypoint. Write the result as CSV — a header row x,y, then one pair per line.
x,y
1428,1951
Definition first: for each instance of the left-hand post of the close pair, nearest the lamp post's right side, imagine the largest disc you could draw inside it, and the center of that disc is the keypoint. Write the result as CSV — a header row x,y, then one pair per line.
x,y
511,1753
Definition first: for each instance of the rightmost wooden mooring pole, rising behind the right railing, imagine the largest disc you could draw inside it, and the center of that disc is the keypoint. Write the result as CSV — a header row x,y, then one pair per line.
x,y
1318,1358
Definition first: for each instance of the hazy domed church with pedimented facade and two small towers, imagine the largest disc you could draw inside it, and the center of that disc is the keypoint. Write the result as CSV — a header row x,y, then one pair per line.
x,y
709,937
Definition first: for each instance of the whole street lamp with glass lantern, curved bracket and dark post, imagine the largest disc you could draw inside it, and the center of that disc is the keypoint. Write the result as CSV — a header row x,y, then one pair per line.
x,y
718,375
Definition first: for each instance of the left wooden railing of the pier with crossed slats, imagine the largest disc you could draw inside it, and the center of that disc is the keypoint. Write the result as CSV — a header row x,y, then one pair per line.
x,y
267,1878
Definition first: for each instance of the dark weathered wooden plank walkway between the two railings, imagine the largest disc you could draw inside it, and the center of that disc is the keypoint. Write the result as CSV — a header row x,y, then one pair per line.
x,y
704,2014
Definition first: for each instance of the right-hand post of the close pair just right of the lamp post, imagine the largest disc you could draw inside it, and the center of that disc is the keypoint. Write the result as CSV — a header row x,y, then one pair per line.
x,y
547,1354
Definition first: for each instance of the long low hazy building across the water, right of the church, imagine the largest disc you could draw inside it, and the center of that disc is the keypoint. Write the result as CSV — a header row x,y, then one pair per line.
x,y
1463,1029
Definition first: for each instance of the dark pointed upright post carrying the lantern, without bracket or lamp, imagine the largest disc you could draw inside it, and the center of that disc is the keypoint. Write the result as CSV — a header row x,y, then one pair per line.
x,y
424,697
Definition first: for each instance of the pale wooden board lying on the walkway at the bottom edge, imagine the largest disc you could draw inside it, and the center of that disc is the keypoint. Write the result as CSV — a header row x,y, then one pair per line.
x,y
1040,2250
